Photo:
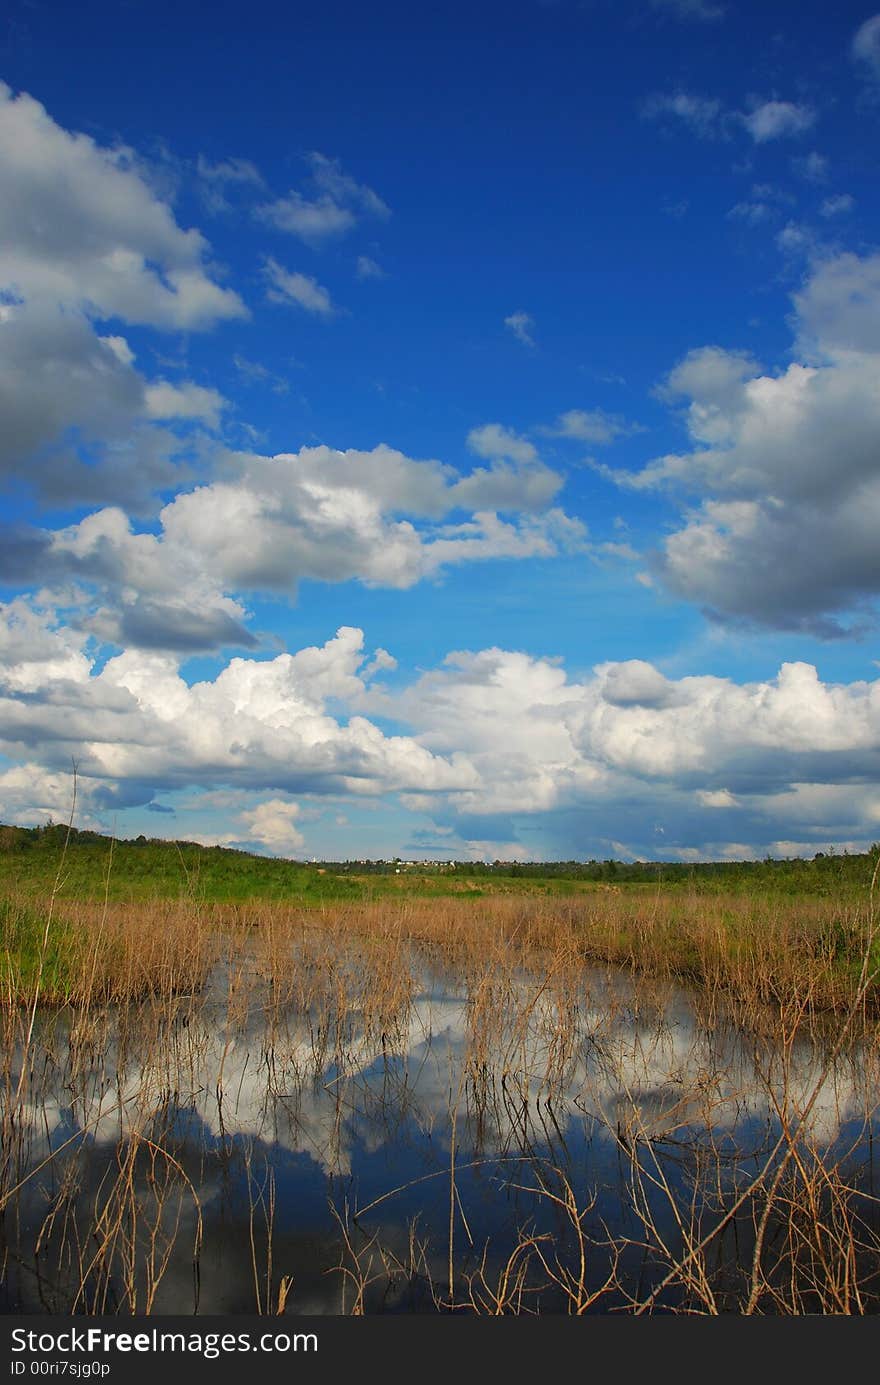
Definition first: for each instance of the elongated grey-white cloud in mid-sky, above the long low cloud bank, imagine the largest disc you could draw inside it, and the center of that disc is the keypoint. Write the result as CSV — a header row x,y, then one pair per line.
x,y
340,516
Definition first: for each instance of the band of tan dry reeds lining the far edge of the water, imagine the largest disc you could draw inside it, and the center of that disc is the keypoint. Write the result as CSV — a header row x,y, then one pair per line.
x,y
778,955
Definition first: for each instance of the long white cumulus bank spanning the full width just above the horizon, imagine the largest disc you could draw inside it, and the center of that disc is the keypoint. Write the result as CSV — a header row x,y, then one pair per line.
x,y
489,740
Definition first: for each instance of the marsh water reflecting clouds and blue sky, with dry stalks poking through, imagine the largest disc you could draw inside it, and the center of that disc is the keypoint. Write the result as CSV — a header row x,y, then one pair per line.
x,y
500,1142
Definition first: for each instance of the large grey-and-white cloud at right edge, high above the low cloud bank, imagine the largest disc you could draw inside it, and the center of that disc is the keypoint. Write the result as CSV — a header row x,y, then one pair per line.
x,y
784,466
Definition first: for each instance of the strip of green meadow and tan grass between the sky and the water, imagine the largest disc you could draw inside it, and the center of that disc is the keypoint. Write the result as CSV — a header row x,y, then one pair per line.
x,y
138,915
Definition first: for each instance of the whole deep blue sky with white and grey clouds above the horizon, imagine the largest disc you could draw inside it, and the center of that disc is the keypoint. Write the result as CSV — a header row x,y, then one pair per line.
x,y
444,431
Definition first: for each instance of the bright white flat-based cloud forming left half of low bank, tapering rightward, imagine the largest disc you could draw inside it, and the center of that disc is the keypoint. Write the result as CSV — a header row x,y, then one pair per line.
x,y
258,725
